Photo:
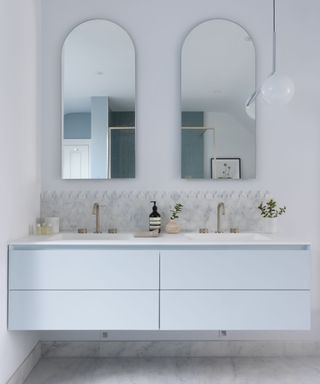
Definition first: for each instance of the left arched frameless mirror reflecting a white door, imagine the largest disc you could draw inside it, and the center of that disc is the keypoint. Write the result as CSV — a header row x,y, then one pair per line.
x,y
98,102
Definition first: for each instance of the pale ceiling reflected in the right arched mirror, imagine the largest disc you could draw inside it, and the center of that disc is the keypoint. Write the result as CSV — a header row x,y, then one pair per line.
x,y
217,67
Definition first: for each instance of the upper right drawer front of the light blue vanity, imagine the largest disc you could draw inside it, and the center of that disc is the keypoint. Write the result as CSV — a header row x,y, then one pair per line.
x,y
238,269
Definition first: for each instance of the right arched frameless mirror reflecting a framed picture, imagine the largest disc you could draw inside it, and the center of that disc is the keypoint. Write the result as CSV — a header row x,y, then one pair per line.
x,y
217,79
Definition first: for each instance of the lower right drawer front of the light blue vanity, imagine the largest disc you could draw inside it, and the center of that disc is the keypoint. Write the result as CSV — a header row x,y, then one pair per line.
x,y
235,310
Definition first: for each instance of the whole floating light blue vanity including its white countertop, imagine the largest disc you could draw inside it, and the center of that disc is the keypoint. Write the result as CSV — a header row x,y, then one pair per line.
x,y
173,282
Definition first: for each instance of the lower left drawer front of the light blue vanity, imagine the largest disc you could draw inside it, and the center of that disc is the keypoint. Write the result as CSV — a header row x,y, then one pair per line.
x,y
83,310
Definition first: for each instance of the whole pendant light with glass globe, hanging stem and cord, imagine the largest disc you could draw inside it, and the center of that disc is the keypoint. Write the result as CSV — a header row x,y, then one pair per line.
x,y
276,89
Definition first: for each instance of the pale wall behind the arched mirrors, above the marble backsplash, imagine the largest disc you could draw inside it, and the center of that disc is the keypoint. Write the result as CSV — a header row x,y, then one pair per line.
x,y
288,138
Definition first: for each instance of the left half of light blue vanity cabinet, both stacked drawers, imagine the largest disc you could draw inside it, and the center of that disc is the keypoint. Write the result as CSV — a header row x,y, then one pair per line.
x,y
69,289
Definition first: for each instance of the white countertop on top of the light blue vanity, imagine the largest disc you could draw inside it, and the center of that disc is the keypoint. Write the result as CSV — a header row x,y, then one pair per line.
x,y
164,239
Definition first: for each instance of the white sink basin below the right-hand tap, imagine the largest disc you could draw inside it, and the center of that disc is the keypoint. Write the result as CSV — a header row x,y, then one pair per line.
x,y
226,237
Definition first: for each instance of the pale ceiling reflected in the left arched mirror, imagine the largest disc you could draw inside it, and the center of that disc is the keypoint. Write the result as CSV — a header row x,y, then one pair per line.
x,y
98,60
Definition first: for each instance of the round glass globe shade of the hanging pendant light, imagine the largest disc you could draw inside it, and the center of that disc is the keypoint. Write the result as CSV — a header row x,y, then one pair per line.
x,y
277,89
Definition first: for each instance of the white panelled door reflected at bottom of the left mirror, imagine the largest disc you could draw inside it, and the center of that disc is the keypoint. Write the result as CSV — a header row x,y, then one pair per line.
x,y
76,161
